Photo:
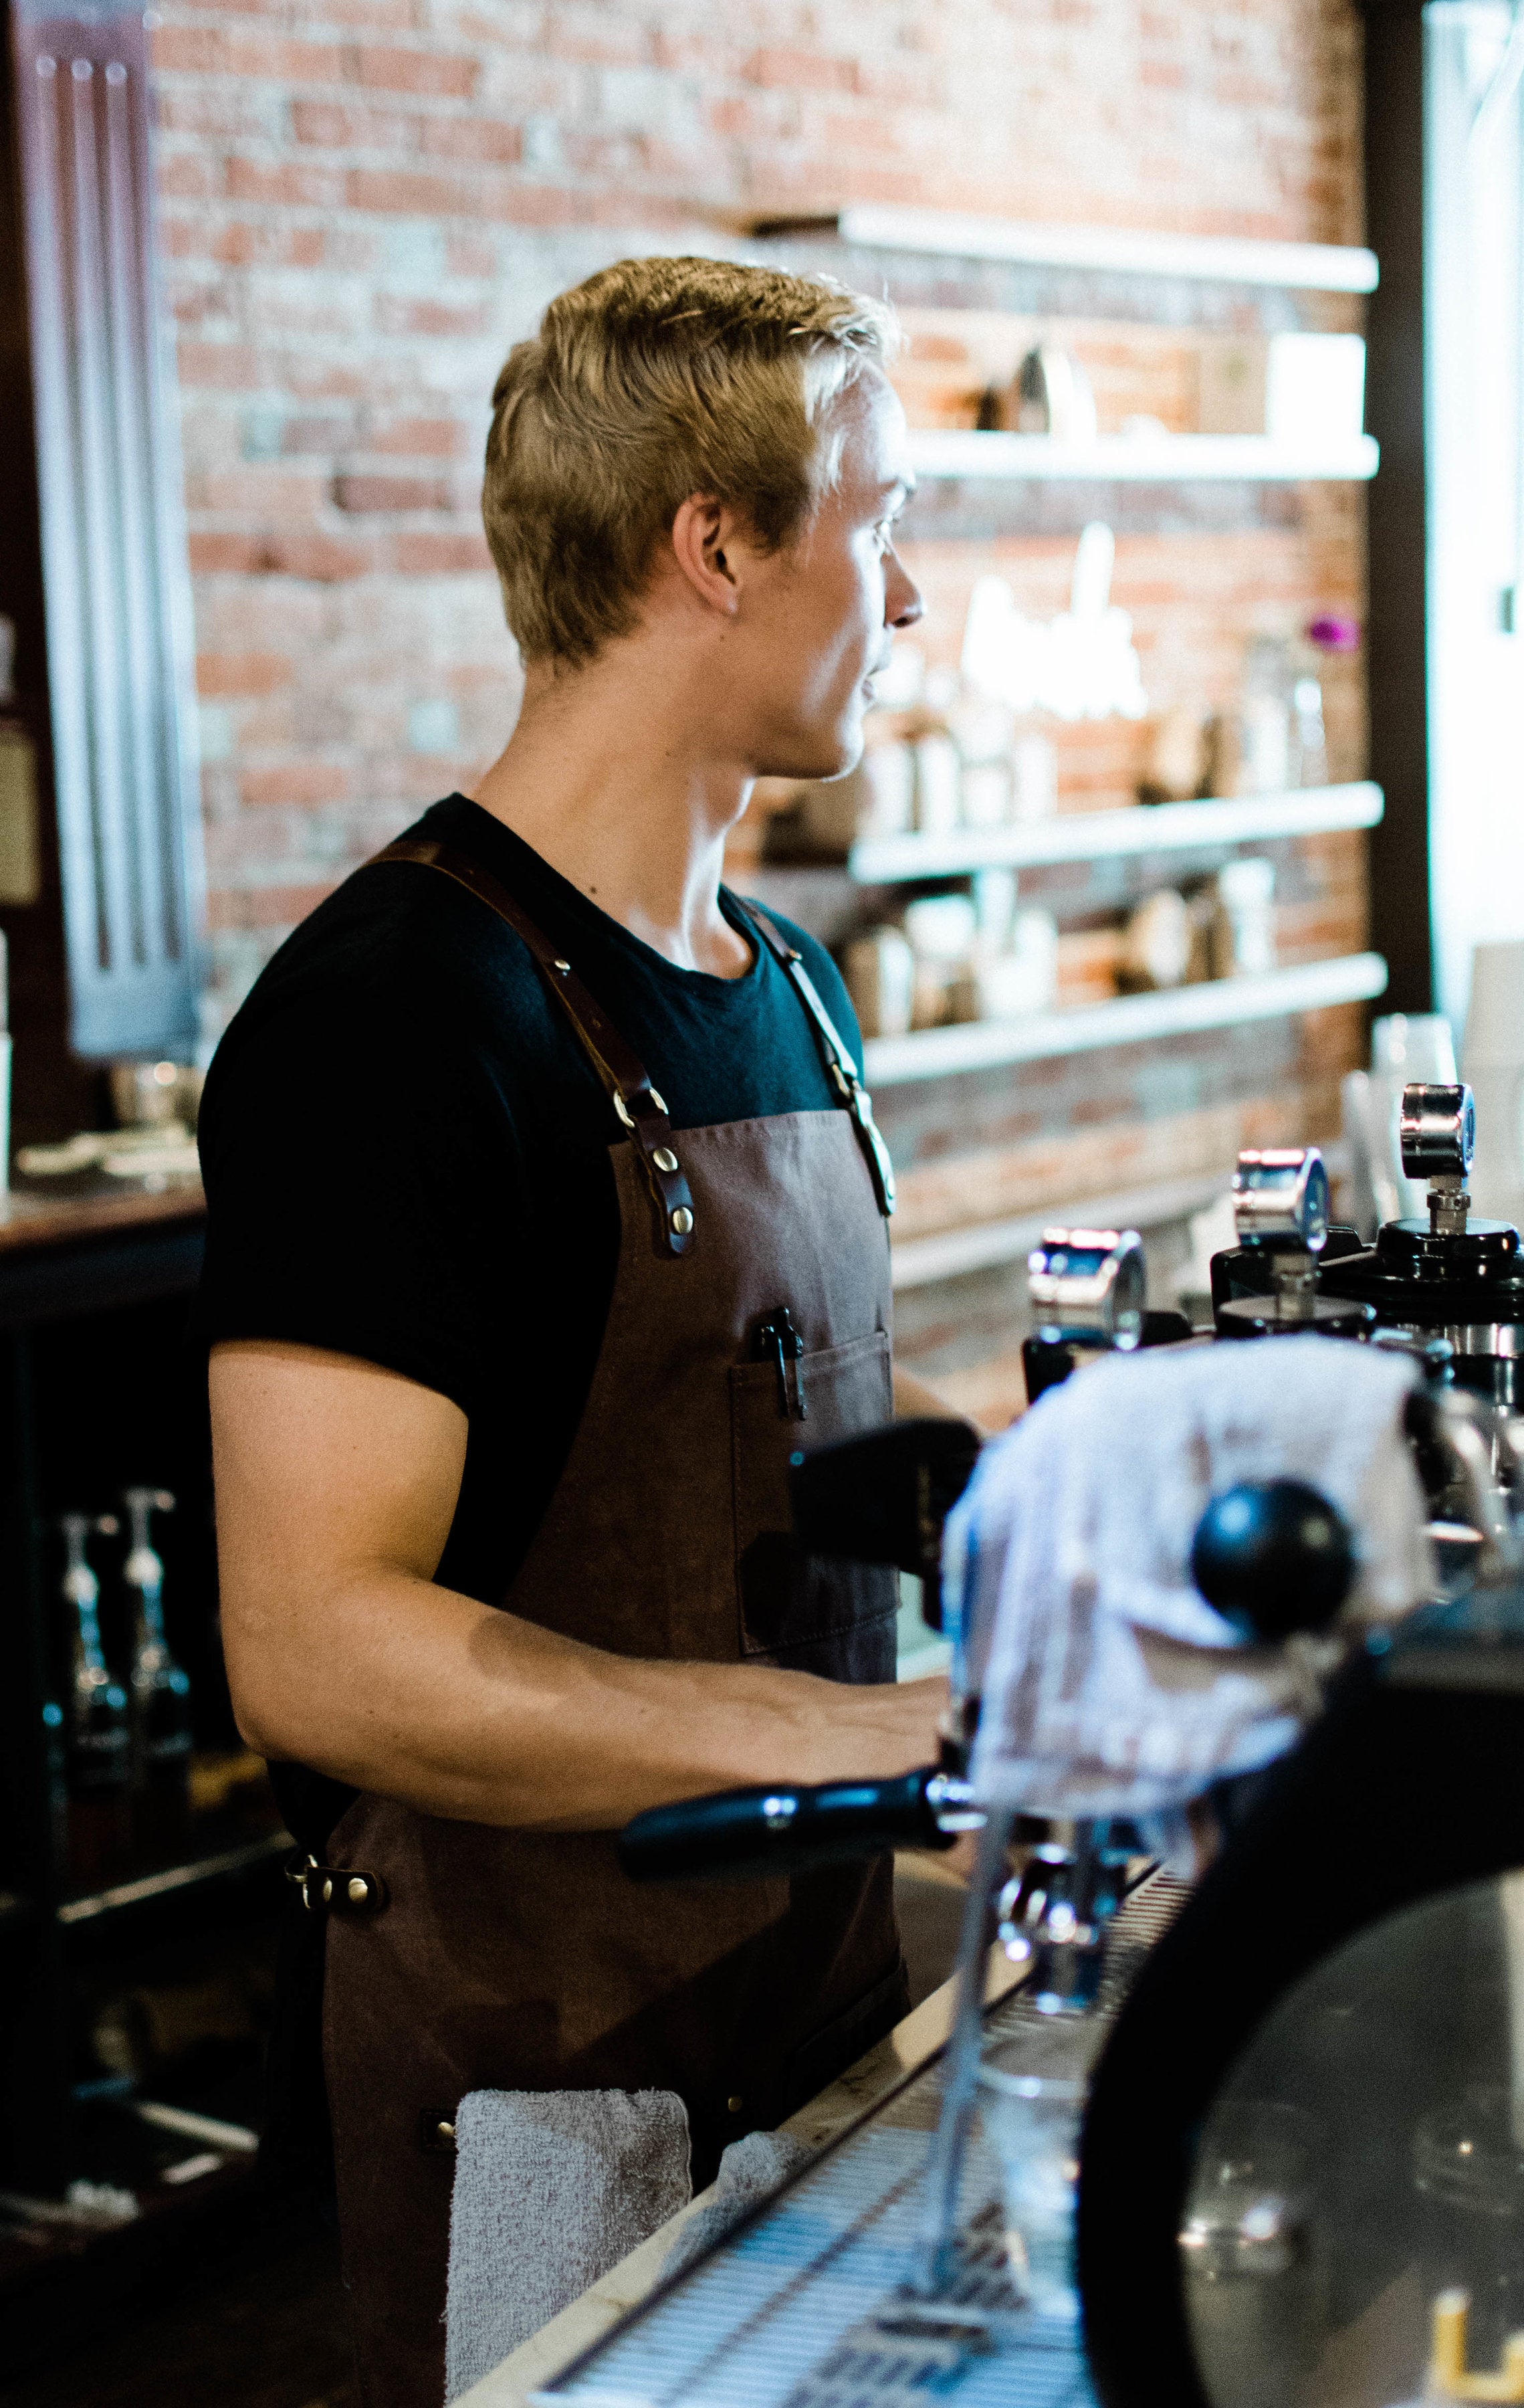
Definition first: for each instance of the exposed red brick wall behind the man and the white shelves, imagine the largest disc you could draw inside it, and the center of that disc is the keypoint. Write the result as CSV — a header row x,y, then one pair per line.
x,y
367,201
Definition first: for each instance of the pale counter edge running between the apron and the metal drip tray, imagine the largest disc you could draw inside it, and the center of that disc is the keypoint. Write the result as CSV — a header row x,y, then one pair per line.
x,y
861,2091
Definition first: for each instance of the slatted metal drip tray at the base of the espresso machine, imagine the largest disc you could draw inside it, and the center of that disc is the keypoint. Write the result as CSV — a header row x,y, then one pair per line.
x,y
808,2303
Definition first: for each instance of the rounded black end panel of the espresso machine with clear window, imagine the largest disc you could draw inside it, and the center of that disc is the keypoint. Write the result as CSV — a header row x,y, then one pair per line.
x,y
1301,2176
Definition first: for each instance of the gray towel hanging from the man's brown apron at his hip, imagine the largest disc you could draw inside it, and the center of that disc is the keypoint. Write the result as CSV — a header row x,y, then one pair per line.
x,y
553,2188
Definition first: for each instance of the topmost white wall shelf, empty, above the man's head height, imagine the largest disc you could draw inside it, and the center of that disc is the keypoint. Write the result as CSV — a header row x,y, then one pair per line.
x,y
1333,268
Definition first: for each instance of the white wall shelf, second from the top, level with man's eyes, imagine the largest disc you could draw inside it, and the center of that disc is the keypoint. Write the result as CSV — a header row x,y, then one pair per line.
x,y
971,454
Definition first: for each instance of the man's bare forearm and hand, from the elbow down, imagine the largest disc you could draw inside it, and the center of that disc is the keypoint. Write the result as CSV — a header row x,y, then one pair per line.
x,y
473,1713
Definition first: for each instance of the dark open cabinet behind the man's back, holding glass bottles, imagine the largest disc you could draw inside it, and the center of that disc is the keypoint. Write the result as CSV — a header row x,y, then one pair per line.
x,y
100,1388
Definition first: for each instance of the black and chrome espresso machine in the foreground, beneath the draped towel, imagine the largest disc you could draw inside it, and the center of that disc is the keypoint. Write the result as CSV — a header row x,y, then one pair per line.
x,y
1301,2173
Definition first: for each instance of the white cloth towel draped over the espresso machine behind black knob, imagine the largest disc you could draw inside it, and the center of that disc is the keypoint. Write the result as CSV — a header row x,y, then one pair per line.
x,y
1111,1687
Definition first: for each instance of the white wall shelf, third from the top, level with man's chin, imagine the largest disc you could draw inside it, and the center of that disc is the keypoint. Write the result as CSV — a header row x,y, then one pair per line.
x,y
1089,837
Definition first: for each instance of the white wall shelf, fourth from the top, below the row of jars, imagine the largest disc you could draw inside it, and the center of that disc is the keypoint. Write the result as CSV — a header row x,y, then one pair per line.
x,y
1128,1020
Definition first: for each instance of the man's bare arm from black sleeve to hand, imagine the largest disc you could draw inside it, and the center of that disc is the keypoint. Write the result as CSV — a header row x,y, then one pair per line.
x,y
336,1487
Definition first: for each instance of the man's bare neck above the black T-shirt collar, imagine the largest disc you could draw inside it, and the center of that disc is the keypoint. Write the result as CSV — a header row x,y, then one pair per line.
x,y
615,781
